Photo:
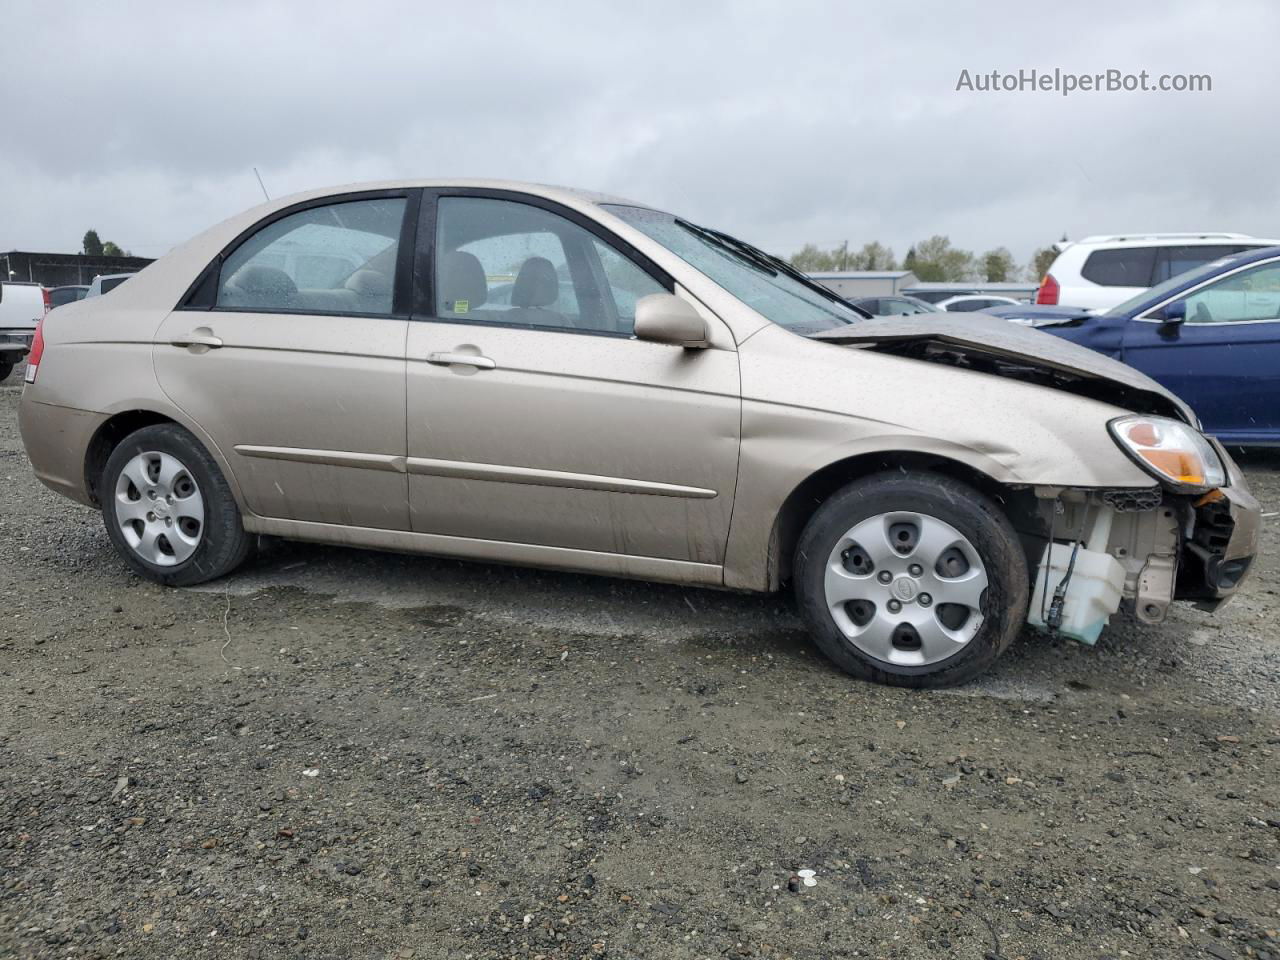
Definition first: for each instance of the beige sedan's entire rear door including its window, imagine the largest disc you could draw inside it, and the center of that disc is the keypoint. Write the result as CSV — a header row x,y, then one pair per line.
x,y
290,354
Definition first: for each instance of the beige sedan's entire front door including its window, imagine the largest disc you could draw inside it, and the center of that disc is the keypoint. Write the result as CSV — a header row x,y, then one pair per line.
x,y
536,418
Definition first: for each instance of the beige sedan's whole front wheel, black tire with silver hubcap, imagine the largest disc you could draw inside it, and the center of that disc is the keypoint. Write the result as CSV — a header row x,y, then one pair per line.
x,y
912,579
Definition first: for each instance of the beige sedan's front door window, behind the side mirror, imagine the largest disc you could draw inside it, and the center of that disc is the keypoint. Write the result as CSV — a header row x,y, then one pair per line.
x,y
516,264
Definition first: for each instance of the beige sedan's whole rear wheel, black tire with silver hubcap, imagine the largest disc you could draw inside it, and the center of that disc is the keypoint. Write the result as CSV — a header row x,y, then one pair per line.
x,y
170,510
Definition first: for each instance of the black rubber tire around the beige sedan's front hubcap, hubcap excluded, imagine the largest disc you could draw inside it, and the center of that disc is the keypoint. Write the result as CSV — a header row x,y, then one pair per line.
x,y
977,518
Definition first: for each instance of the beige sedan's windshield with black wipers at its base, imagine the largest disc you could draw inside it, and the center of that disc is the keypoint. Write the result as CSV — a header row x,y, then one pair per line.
x,y
765,284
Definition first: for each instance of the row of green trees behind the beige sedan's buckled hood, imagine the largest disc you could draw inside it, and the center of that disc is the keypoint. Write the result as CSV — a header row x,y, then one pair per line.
x,y
931,260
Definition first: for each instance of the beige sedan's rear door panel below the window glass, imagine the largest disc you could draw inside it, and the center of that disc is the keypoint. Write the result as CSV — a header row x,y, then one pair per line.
x,y
309,412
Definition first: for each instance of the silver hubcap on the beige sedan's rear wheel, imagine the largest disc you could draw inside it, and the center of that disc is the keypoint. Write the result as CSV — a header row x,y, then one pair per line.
x,y
159,509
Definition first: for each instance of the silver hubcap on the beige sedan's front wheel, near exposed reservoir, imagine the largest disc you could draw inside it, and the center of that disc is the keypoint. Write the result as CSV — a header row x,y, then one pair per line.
x,y
906,588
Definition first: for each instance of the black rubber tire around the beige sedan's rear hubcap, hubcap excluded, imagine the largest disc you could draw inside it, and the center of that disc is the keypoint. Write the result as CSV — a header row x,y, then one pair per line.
x,y
223,546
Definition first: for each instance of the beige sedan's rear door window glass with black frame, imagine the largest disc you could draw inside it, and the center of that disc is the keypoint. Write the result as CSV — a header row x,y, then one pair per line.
x,y
335,259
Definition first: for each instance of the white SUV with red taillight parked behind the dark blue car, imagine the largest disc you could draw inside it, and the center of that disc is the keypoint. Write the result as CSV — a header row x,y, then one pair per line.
x,y
1098,273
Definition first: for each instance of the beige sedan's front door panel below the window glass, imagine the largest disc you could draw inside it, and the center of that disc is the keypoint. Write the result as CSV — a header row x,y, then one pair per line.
x,y
570,440
